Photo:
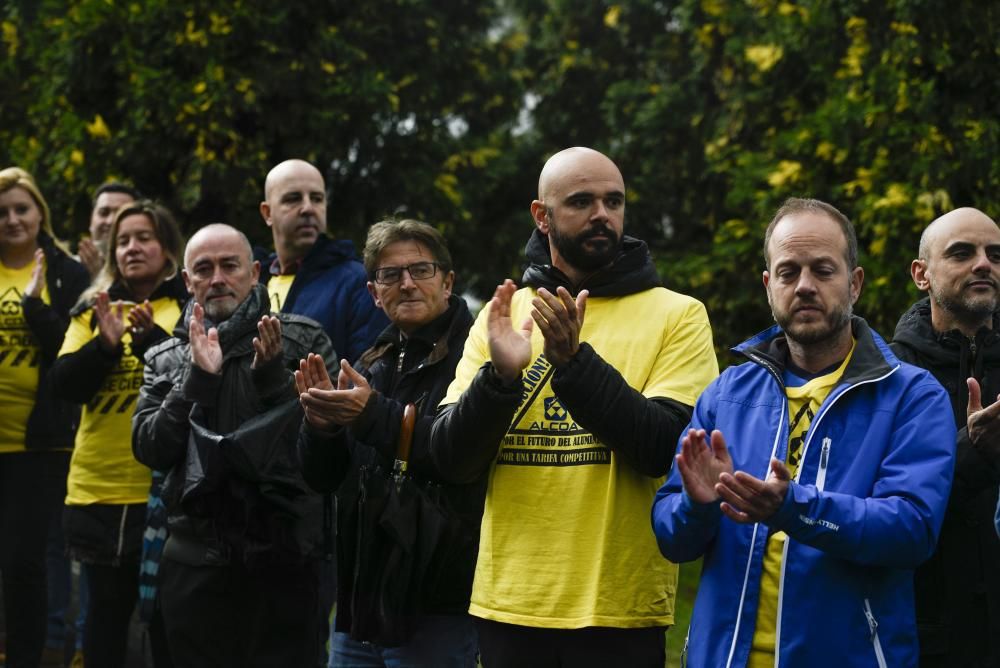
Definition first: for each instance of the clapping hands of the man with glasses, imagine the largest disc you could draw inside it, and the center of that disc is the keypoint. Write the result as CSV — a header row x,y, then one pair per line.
x,y
325,406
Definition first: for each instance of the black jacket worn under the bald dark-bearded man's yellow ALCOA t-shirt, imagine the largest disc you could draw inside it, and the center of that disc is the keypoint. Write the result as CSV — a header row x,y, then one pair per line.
x,y
592,390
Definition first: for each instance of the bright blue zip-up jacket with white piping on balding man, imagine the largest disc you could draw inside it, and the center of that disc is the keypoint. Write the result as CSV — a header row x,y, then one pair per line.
x,y
863,511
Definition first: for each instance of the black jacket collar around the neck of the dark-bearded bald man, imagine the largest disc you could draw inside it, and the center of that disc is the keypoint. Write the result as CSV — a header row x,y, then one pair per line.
x,y
632,271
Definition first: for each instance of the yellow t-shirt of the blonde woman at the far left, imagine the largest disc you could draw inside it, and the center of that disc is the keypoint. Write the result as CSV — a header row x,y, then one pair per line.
x,y
19,358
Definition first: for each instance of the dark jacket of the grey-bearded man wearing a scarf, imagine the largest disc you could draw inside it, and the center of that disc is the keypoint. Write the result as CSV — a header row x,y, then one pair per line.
x,y
233,491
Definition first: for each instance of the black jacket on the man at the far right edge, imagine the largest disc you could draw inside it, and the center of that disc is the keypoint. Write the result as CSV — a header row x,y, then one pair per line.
x,y
958,588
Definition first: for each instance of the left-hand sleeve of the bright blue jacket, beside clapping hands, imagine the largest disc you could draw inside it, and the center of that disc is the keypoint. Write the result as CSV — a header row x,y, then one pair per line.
x,y
685,529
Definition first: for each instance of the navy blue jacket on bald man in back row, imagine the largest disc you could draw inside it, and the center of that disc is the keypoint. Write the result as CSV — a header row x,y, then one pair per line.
x,y
331,287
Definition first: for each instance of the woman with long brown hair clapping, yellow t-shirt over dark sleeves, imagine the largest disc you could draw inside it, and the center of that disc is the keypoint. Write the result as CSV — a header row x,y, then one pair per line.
x,y
133,304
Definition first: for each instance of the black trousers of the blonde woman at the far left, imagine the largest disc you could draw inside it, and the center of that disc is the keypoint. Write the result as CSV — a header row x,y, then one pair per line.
x,y
32,486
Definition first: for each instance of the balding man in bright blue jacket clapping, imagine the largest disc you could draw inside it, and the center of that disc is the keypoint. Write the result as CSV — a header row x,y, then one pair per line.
x,y
813,477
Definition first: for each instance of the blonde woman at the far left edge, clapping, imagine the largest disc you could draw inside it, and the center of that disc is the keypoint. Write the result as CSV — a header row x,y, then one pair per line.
x,y
39,283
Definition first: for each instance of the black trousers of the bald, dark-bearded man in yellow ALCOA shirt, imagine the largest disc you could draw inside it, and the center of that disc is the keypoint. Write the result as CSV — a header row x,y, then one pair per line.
x,y
510,645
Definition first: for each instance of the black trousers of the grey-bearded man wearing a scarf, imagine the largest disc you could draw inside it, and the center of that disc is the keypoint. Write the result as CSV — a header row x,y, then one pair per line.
x,y
228,616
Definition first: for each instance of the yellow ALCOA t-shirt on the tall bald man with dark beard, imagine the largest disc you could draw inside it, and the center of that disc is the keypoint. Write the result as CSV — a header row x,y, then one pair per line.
x,y
566,540
